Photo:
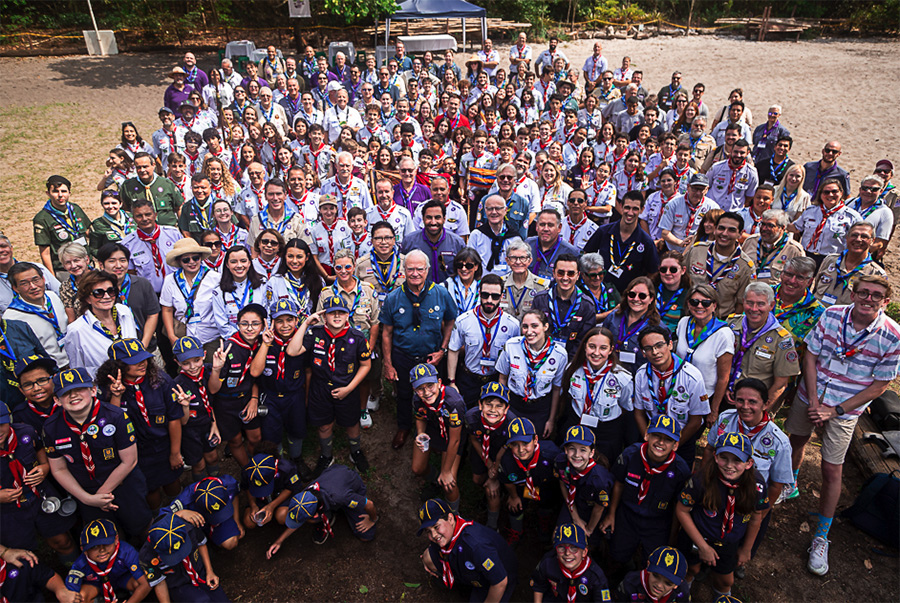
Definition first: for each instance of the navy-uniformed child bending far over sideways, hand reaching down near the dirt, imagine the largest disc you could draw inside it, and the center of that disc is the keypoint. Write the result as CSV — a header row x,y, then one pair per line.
x,y
338,488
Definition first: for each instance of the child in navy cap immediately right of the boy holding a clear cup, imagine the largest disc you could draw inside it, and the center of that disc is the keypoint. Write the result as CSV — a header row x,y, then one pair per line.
x,y
487,426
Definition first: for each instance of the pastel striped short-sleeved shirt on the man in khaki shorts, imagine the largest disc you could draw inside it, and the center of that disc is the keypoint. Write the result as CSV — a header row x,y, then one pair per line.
x,y
874,354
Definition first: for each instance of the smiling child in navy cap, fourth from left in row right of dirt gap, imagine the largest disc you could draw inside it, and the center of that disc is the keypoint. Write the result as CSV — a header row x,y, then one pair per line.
x,y
585,484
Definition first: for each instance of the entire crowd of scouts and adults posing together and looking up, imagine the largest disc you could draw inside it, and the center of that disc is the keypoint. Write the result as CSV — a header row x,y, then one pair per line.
x,y
534,254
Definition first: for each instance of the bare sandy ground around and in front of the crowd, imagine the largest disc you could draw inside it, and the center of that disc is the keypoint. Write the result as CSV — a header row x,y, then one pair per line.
x,y
62,115
